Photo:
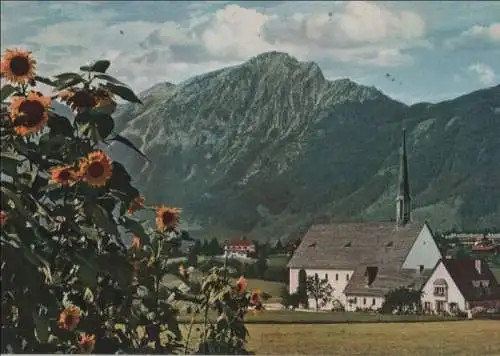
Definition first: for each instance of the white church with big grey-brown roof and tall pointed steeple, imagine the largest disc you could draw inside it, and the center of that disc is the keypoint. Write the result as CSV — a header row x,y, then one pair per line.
x,y
364,260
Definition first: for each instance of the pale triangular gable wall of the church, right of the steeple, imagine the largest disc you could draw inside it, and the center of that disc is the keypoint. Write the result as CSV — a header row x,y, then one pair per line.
x,y
423,252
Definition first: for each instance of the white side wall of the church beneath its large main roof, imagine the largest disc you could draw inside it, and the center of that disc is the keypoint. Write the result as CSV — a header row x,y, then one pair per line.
x,y
338,285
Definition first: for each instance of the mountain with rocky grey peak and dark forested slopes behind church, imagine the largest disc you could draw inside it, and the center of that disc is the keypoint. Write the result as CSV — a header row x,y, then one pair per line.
x,y
270,146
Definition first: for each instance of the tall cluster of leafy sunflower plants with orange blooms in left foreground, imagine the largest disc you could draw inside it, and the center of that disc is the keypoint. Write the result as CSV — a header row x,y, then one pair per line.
x,y
69,284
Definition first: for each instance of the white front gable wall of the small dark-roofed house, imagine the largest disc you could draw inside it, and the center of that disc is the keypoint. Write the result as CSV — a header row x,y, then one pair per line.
x,y
453,295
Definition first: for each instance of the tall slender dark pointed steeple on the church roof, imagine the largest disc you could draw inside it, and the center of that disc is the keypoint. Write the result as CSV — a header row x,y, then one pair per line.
x,y
403,200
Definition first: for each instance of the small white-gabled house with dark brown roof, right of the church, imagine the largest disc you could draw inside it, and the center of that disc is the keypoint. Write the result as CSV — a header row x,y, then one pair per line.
x,y
460,285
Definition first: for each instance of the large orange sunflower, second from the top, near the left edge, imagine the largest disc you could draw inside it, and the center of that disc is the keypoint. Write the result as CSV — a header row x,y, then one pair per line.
x,y
29,113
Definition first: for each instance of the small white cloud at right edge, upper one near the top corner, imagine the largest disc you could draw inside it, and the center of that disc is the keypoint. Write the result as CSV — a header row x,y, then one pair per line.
x,y
476,36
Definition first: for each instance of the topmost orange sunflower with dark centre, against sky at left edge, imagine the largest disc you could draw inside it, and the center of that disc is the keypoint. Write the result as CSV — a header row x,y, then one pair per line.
x,y
18,66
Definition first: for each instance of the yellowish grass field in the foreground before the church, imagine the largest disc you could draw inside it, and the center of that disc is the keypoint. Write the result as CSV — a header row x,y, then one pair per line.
x,y
459,338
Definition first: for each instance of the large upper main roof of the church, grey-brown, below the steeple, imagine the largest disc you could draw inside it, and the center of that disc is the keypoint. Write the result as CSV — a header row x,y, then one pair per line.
x,y
349,245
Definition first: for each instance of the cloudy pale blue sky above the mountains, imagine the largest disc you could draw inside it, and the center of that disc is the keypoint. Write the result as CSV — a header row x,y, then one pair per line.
x,y
411,50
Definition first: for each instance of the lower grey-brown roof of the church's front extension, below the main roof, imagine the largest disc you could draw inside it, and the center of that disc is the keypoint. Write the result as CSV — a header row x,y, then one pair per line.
x,y
387,278
